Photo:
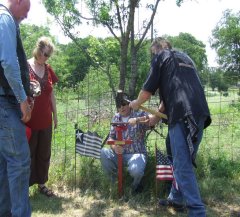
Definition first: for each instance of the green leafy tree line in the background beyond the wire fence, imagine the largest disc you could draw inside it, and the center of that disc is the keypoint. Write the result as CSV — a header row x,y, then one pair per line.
x,y
104,57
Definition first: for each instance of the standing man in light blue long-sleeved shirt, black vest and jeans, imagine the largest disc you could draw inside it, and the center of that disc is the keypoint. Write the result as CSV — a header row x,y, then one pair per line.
x,y
14,112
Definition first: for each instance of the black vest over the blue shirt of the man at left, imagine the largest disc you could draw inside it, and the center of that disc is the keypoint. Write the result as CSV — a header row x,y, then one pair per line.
x,y
22,60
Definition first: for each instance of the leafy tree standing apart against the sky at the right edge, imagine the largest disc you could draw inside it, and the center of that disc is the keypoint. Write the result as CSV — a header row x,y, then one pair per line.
x,y
226,40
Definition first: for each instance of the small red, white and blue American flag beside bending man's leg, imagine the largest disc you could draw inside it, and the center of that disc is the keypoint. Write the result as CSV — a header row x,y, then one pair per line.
x,y
164,168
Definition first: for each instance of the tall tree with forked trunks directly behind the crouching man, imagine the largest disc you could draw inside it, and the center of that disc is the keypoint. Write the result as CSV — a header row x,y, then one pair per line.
x,y
118,16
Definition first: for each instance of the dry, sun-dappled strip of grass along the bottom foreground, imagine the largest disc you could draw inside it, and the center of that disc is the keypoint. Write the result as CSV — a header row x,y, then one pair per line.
x,y
77,204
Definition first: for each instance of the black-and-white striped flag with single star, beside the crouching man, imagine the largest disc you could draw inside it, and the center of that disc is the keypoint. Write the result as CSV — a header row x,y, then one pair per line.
x,y
88,144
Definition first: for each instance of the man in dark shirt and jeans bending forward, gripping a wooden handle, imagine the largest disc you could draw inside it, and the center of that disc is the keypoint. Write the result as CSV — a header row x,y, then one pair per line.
x,y
173,73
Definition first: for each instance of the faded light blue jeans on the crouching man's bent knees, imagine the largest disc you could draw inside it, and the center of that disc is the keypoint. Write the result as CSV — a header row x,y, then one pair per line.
x,y
135,163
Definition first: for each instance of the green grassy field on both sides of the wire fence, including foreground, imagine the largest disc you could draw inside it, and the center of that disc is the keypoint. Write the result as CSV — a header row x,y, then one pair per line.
x,y
82,190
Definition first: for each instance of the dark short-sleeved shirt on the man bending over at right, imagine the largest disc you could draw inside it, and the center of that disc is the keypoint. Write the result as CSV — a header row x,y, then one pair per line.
x,y
174,74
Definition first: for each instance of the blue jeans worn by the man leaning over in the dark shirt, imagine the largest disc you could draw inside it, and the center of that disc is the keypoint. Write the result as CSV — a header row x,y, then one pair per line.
x,y
183,170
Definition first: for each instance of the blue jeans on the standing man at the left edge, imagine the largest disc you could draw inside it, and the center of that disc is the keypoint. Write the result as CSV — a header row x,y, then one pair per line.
x,y
14,161
